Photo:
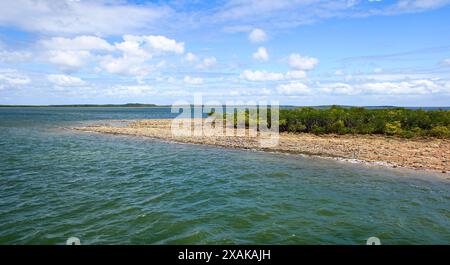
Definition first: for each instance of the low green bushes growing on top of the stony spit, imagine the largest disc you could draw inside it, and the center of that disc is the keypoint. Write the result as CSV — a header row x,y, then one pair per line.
x,y
399,122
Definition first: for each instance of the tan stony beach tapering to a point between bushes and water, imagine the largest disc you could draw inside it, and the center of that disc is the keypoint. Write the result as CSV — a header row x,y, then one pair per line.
x,y
424,153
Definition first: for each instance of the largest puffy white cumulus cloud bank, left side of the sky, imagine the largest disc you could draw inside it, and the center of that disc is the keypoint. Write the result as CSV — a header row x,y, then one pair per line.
x,y
128,57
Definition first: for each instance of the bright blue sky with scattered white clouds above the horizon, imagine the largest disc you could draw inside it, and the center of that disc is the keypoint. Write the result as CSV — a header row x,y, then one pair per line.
x,y
301,52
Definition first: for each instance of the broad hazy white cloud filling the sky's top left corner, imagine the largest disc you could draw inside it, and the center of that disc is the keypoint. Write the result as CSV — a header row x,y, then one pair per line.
x,y
80,17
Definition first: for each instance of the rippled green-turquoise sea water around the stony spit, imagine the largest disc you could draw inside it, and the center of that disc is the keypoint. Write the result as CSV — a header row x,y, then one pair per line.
x,y
56,183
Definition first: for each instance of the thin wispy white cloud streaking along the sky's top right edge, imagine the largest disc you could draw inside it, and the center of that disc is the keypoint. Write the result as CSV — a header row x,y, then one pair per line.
x,y
289,13
